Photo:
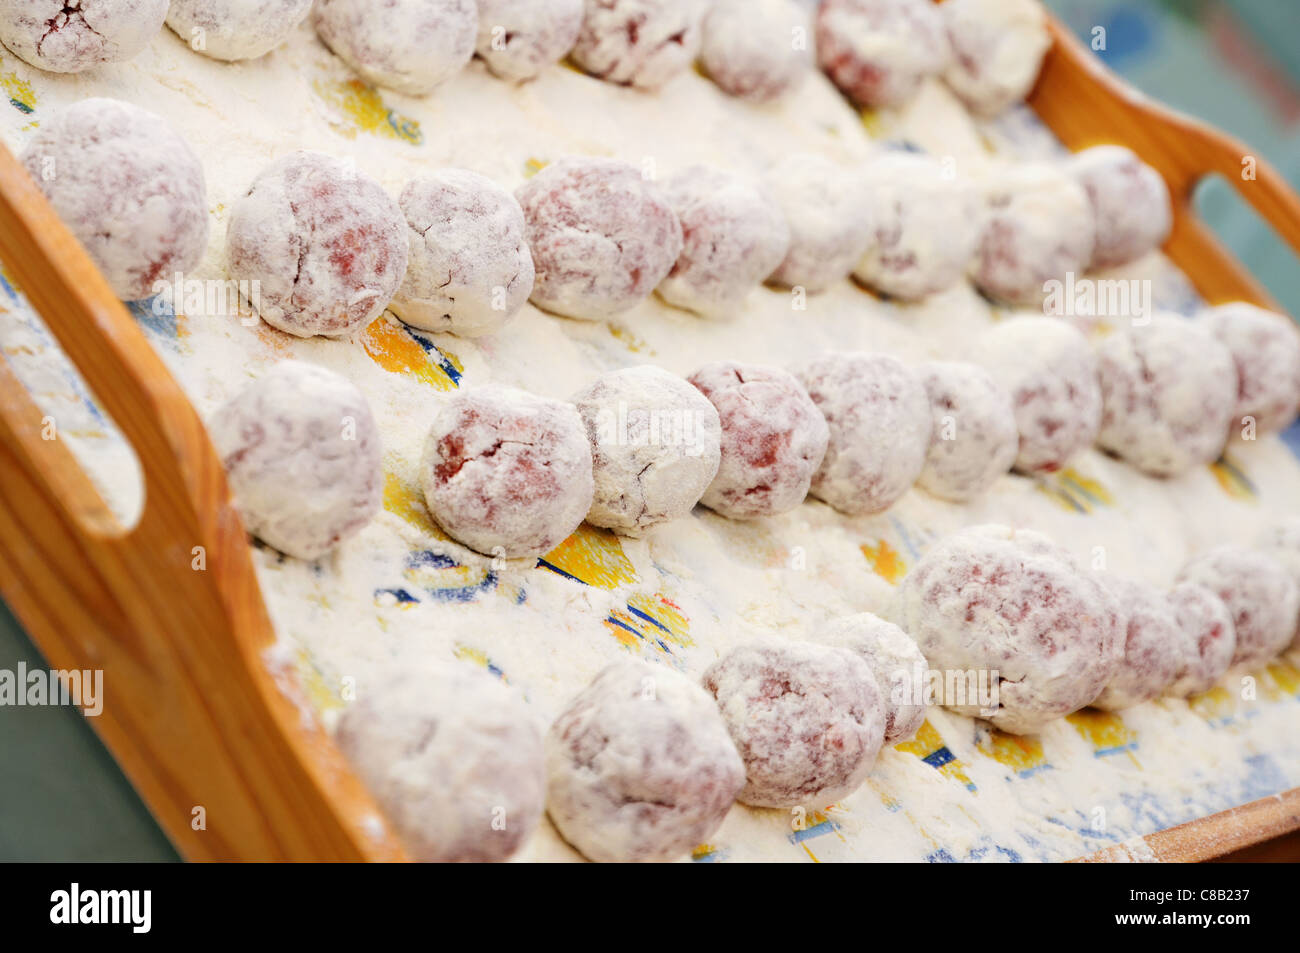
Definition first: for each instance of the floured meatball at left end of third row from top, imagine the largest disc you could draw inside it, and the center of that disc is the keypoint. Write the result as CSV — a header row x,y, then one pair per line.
x,y
304,457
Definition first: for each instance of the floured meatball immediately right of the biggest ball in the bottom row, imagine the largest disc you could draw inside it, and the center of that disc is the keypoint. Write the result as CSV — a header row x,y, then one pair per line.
x,y
1155,646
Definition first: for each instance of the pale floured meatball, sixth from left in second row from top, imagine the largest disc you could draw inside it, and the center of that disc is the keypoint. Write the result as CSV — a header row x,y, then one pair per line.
x,y
829,213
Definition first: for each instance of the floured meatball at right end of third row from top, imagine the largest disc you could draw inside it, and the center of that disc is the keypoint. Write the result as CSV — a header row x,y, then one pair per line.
x,y
1267,349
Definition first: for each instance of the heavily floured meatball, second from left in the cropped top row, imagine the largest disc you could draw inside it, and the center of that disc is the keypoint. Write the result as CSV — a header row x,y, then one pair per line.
x,y
236,29
